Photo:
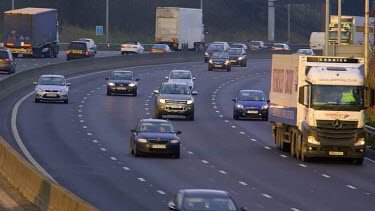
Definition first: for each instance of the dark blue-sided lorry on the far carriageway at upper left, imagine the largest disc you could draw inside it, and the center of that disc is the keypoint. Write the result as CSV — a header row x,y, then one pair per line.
x,y
31,32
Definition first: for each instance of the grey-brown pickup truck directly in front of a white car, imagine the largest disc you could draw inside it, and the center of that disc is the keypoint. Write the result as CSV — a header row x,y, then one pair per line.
x,y
174,99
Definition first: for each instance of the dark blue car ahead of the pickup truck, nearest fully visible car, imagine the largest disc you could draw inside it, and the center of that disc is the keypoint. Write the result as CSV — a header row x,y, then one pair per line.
x,y
155,136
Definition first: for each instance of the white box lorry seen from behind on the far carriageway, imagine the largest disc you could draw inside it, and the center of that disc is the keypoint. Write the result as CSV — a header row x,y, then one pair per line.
x,y
180,28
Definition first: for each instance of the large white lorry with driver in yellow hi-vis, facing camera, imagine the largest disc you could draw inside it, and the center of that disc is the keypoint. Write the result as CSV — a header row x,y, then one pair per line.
x,y
317,106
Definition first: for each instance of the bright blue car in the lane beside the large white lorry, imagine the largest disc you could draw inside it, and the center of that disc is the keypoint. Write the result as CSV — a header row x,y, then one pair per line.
x,y
250,103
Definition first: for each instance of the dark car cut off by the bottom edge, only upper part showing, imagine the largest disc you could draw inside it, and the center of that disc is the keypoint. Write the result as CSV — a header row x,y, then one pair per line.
x,y
203,199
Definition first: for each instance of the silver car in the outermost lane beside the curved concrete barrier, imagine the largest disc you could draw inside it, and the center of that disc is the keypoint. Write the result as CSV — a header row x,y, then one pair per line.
x,y
51,88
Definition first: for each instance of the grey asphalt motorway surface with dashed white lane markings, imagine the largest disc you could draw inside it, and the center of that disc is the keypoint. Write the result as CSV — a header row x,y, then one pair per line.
x,y
84,146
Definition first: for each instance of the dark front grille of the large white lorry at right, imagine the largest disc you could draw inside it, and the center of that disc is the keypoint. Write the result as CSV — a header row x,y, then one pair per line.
x,y
328,132
